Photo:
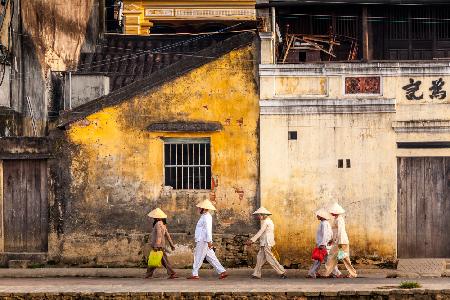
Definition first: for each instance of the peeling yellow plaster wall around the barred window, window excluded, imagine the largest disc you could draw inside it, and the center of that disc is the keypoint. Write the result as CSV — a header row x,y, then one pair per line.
x,y
110,169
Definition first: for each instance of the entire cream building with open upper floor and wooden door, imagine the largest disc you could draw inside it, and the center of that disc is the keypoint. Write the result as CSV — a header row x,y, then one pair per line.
x,y
355,108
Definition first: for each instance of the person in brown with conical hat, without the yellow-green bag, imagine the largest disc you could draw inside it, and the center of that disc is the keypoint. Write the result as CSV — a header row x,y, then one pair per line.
x,y
158,241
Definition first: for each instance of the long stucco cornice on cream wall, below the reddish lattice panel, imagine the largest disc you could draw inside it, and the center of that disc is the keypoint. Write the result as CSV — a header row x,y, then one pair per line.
x,y
328,106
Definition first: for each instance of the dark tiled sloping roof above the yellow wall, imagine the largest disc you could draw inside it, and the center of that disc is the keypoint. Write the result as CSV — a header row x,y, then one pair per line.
x,y
126,58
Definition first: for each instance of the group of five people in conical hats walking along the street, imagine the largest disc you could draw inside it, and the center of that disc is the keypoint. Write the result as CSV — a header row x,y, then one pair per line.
x,y
331,241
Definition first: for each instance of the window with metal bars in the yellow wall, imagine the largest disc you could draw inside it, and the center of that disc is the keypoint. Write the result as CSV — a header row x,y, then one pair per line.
x,y
187,164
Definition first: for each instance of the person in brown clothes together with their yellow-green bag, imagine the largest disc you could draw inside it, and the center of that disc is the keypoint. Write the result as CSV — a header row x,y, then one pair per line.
x,y
158,255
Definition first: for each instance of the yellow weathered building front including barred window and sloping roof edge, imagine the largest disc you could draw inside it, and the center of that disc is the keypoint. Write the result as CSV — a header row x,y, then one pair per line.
x,y
180,135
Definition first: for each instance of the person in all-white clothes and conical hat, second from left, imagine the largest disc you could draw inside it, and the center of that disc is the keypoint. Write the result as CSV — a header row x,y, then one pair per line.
x,y
204,244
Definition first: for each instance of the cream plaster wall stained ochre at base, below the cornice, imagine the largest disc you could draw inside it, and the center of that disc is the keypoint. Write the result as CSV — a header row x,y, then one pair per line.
x,y
300,176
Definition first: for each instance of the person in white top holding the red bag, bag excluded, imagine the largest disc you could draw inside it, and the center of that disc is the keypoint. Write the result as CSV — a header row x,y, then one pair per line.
x,y
324,237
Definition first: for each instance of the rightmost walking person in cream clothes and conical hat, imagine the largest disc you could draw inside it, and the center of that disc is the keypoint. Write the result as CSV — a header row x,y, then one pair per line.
x,y
340,242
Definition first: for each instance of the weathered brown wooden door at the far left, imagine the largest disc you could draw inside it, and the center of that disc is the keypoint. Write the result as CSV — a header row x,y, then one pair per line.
x,y
25,206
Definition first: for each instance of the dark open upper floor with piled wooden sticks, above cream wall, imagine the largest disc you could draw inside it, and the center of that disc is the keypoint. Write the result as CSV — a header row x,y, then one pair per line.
x,y
351,33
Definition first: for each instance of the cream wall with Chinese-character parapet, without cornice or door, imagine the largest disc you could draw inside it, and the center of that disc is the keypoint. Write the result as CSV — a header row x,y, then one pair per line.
x,y
297,177
